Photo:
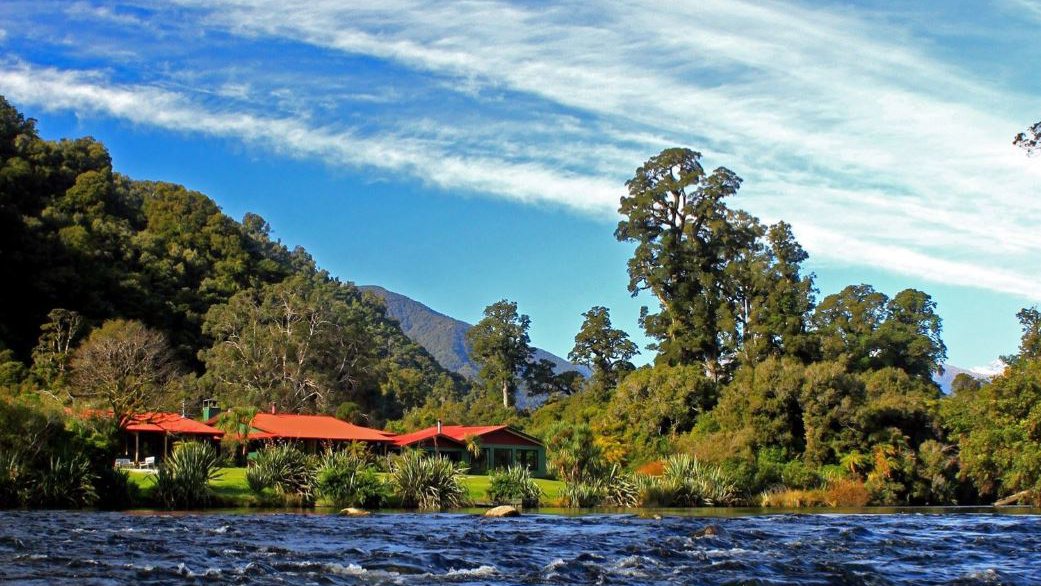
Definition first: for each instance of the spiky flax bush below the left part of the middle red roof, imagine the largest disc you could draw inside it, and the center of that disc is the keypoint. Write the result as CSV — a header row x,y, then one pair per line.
x,y
286,470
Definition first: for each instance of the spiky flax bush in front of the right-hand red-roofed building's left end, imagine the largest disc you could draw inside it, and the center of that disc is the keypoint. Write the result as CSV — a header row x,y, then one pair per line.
x,y
431,483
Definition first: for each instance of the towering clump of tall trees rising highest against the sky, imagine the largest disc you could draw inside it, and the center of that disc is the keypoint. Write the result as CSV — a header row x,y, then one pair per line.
x,y
727,287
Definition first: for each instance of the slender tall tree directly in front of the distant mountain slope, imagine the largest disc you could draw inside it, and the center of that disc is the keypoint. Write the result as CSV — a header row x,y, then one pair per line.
x,y
500,346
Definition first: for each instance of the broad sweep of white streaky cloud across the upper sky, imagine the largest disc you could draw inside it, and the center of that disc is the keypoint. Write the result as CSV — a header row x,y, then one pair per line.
x,y
878,152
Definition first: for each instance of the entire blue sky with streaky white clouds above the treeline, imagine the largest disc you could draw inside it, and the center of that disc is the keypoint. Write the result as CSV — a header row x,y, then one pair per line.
x,y
462,152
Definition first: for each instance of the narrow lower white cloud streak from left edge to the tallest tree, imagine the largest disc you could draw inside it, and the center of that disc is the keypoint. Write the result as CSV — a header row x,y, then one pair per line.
x,y
89,92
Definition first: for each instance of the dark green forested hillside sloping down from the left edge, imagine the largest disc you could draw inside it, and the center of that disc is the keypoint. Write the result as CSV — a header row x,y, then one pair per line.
x,y
246,319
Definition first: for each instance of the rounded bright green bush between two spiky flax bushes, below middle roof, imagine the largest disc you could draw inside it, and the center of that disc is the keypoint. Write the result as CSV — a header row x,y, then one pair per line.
x,y
347,480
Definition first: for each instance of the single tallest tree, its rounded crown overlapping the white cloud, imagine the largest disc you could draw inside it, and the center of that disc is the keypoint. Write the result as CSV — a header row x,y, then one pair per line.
x,y
685,237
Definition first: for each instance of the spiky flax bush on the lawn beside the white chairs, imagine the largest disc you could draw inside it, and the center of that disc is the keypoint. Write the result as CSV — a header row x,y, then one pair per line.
x,y
184,479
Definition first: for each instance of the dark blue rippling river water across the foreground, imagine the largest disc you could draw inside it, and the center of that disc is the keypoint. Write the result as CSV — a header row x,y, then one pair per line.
x,y
96,548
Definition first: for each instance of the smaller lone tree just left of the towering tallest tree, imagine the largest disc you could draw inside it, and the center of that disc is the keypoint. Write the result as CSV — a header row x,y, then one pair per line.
x,y
603,348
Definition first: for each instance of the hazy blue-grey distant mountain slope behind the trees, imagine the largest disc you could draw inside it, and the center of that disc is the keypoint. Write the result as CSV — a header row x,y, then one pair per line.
x,y
444,337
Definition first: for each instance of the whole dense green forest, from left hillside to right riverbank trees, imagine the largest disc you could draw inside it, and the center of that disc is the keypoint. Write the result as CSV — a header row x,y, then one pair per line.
x,y
129,296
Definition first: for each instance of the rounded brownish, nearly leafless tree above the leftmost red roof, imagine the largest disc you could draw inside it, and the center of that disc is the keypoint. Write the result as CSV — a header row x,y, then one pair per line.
x,y
123,367
